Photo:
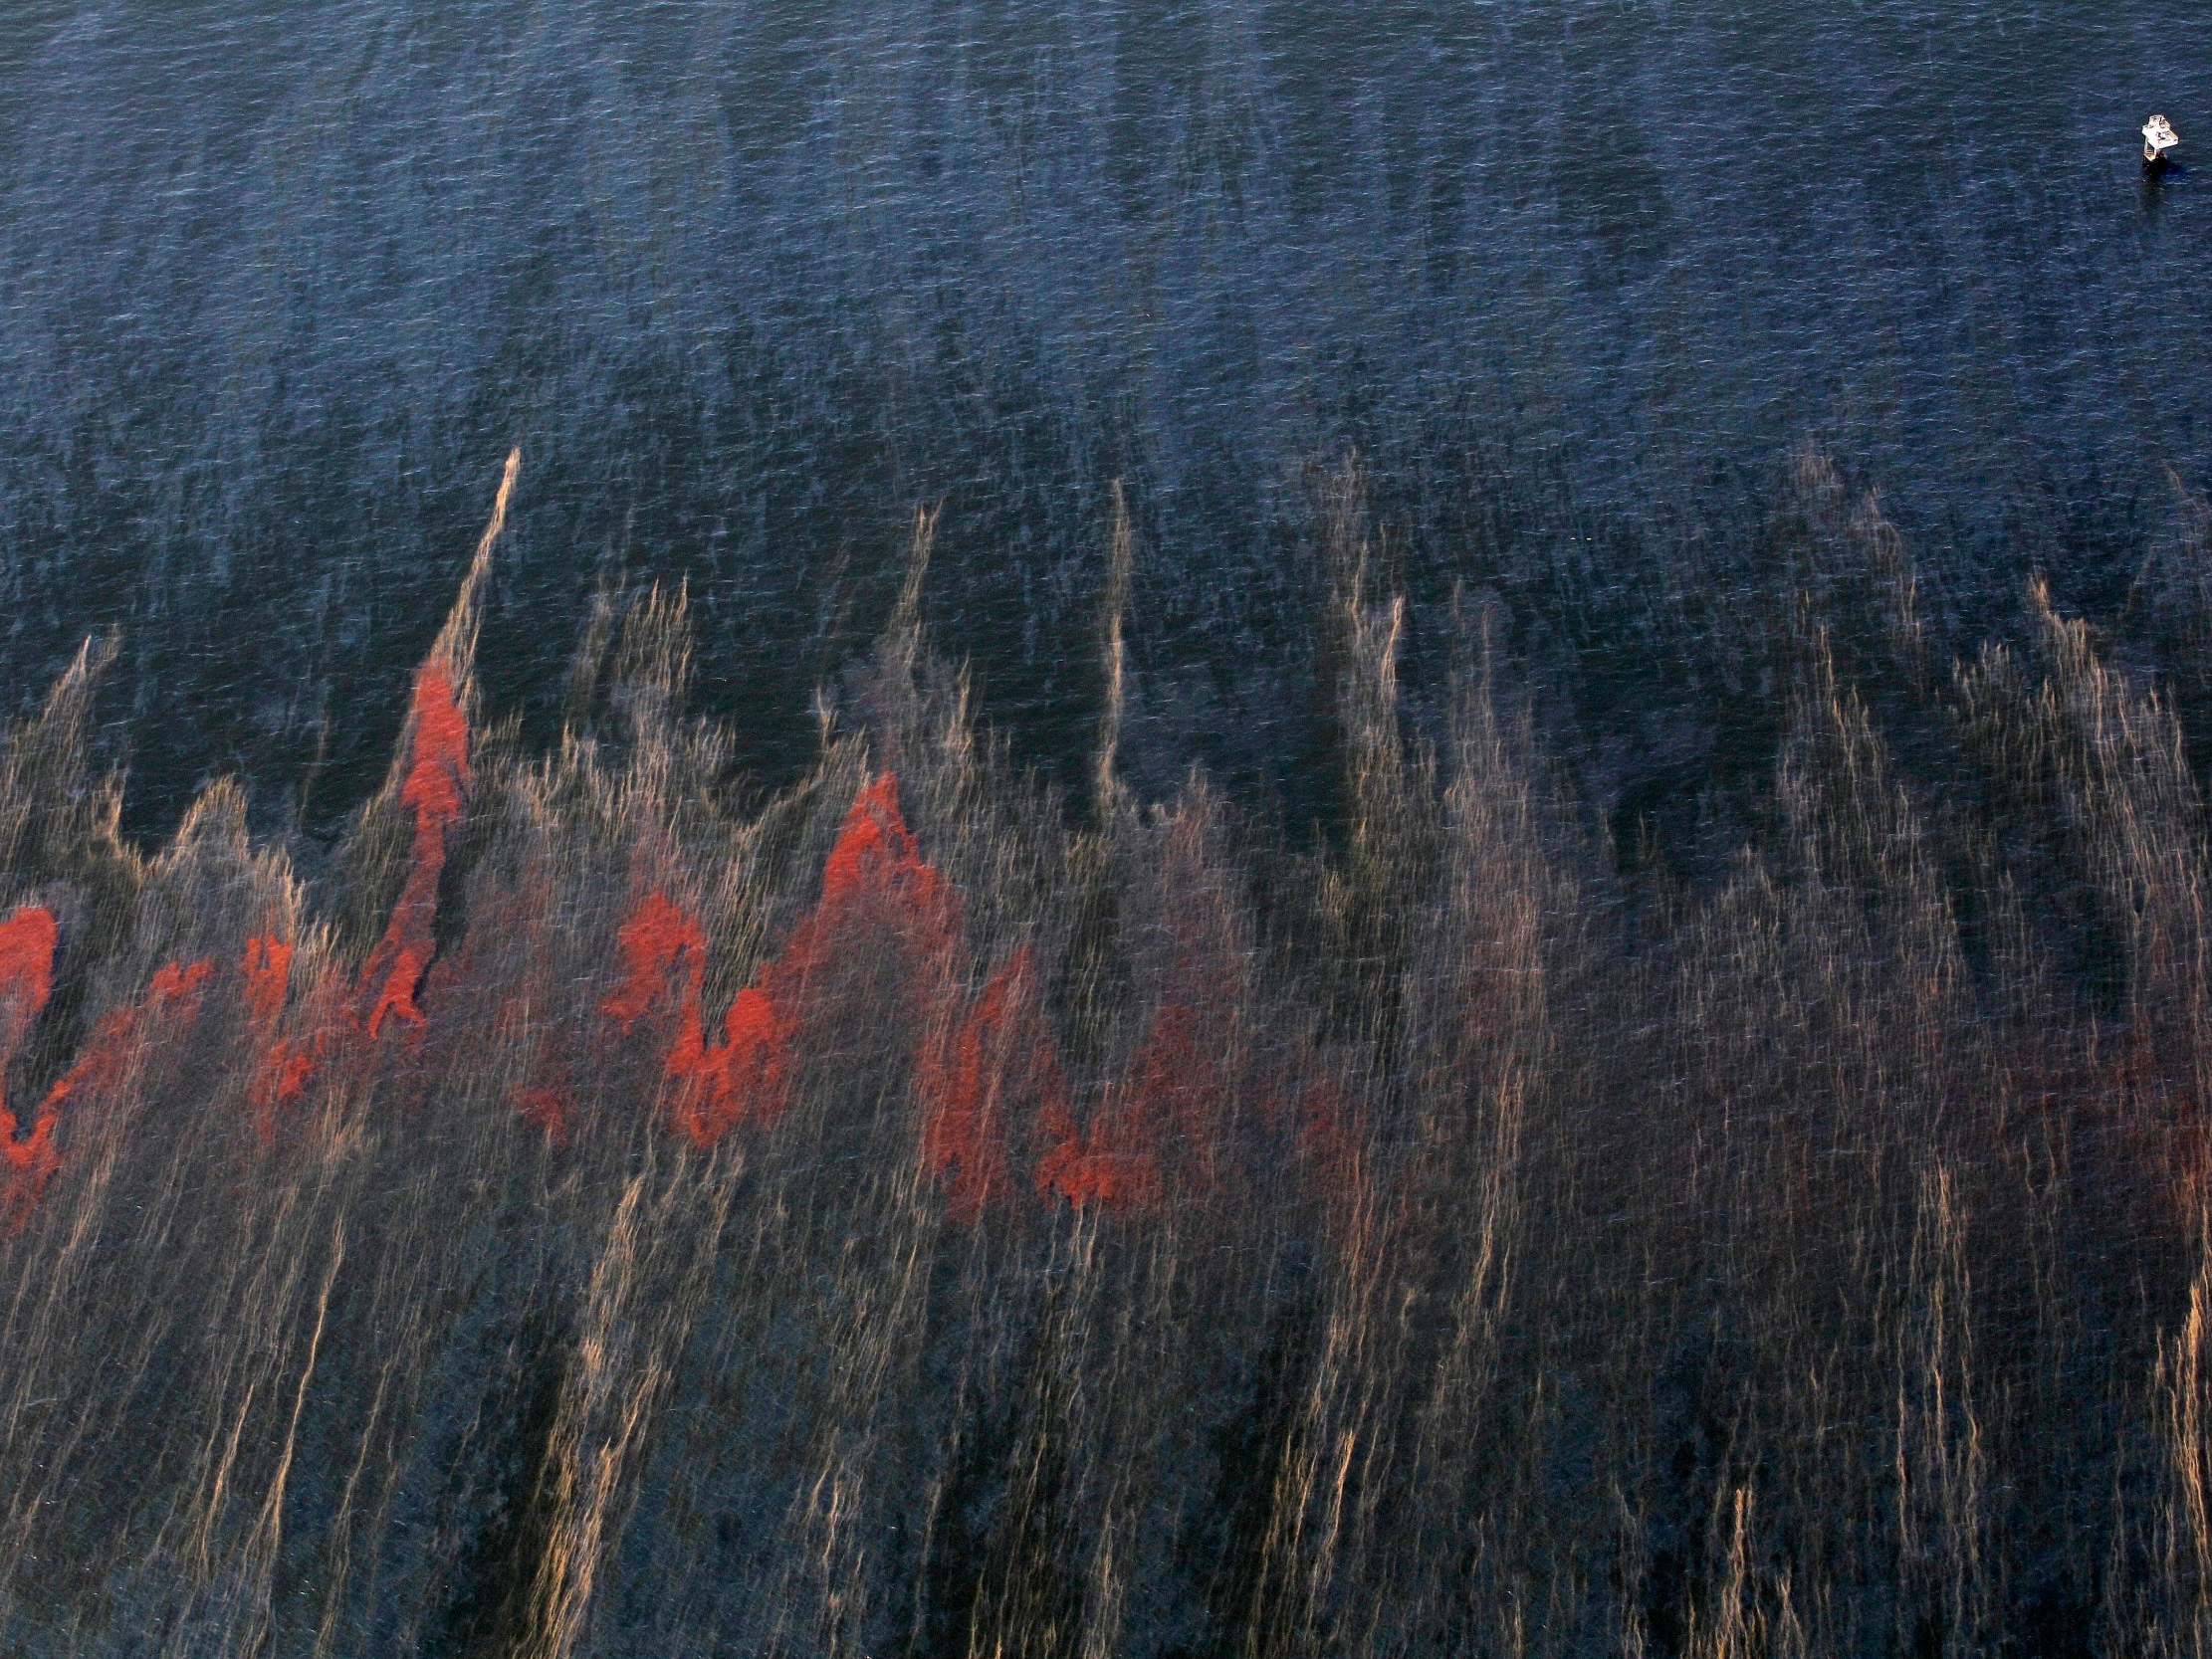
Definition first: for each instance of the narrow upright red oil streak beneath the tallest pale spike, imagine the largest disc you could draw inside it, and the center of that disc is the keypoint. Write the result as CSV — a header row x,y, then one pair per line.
x,y
435,791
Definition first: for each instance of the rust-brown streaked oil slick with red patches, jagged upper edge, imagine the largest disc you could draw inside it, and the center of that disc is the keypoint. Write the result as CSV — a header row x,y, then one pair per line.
x,y
915,1213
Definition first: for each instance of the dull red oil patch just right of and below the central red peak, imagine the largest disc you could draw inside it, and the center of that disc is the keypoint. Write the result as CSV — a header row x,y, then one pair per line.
x,y
974,1074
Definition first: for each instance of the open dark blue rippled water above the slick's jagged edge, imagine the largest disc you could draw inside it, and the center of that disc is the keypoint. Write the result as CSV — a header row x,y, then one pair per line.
x,y
282,282
